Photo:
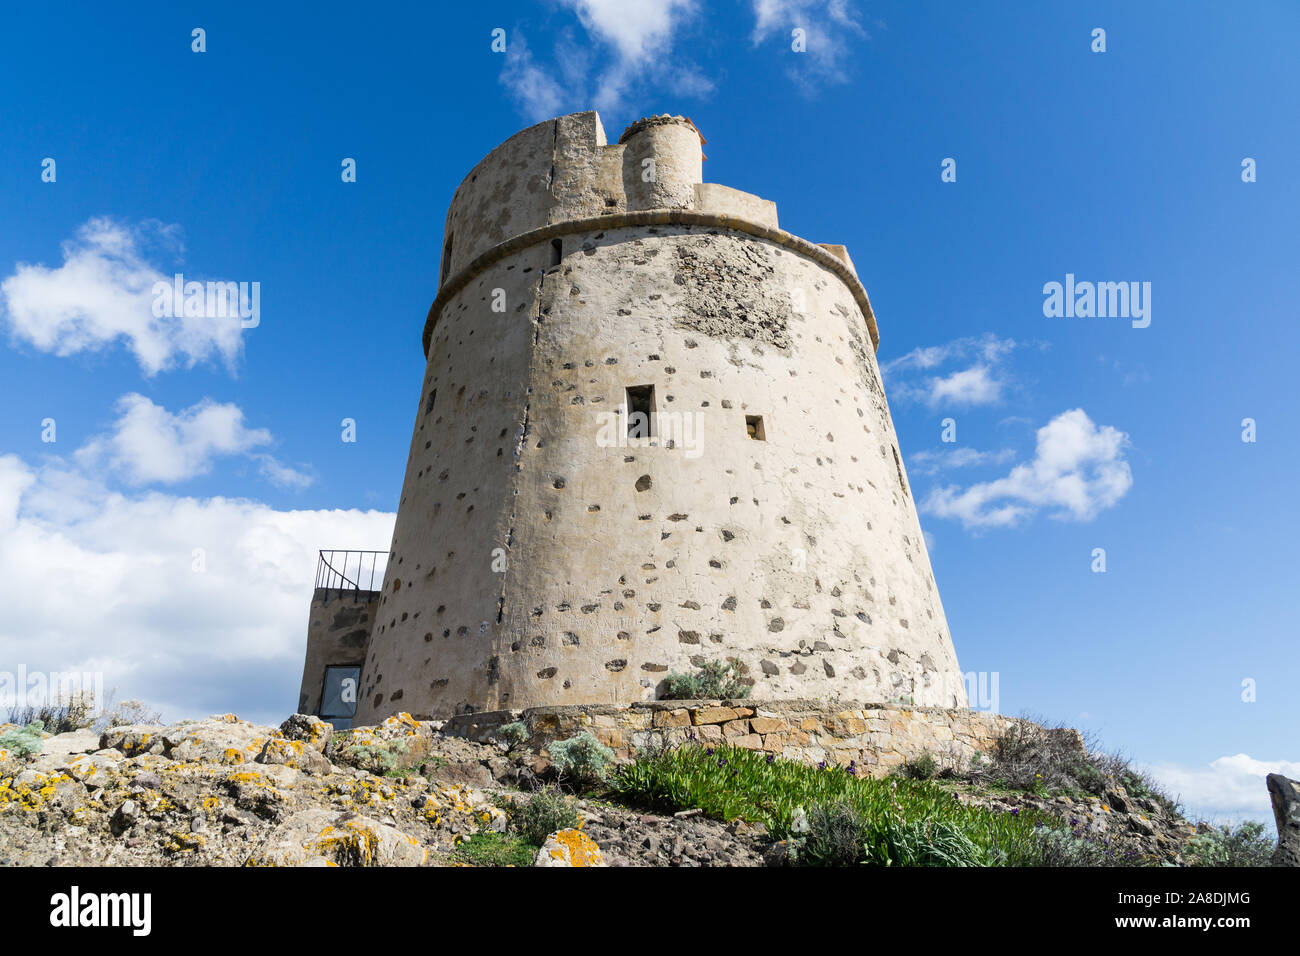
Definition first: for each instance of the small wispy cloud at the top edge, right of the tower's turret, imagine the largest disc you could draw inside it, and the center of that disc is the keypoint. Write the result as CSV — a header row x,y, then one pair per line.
x,y
830,31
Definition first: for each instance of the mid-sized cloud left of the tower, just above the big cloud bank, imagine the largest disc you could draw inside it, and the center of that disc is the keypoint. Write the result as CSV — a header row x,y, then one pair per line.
x,y
149,444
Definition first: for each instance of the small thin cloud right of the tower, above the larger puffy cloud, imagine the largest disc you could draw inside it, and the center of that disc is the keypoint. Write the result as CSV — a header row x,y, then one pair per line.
x,y
982,378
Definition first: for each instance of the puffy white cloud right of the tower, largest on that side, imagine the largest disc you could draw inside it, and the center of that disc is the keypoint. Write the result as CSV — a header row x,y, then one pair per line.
x,y
1078,470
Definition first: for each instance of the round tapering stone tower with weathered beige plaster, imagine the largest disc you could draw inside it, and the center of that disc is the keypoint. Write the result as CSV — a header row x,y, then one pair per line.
x,y
548,551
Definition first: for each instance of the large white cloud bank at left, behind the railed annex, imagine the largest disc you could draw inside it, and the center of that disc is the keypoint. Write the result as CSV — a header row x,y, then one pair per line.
x,y
96,581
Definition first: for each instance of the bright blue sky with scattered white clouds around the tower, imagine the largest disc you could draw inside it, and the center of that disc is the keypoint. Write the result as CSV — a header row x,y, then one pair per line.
x,y
1117,166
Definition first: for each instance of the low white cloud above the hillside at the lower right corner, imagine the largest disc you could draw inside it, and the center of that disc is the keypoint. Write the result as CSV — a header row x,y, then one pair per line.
x,y
1228,790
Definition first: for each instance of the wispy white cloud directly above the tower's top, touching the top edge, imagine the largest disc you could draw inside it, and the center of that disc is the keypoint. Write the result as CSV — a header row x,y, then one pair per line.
x,y
627,47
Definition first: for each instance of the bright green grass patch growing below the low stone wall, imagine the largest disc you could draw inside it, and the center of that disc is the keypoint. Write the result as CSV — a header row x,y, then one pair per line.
x,y
895,821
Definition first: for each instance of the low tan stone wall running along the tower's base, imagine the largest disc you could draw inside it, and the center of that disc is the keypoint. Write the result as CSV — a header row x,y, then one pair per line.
x,y
877,738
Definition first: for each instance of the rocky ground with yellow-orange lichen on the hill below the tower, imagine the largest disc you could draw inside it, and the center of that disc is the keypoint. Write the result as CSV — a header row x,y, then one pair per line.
x,y
227,793
